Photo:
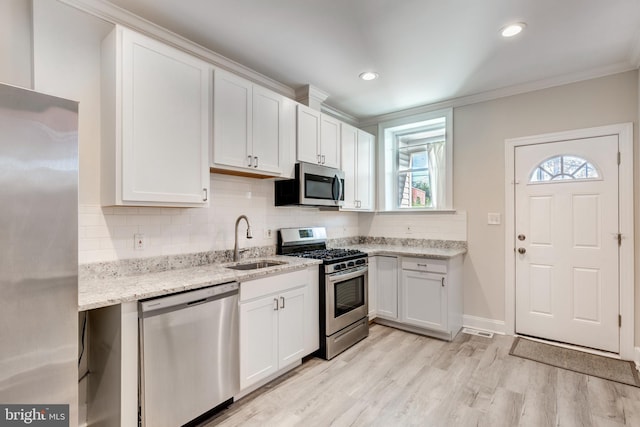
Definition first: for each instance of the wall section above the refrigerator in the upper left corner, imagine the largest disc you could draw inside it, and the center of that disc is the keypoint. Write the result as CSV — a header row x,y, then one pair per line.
x,y
15,42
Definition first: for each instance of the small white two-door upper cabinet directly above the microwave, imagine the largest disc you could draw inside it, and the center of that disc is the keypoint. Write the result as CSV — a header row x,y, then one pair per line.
x,y
318,137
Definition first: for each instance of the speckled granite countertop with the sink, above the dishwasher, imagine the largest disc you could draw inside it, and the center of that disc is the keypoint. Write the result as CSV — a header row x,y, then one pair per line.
x,y
102,292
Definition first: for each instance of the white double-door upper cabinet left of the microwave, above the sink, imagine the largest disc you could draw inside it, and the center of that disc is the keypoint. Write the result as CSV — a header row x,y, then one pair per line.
x,y
249,127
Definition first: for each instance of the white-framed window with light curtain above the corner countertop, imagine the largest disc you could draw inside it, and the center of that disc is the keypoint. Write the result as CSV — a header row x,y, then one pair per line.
x,y
417,162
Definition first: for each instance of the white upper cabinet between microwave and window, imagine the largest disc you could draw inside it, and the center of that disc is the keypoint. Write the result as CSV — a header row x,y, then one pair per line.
x,y
357,163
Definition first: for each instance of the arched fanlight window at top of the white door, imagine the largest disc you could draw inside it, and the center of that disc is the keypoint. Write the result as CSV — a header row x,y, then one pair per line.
x,y
564,167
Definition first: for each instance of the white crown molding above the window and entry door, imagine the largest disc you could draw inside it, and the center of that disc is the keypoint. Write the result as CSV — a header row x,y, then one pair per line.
x,y
504,92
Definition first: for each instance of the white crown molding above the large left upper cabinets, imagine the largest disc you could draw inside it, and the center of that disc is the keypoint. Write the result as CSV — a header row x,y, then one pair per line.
x,y
116,15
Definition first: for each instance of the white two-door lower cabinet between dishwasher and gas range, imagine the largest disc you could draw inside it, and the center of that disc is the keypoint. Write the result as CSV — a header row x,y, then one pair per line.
x,y
278,325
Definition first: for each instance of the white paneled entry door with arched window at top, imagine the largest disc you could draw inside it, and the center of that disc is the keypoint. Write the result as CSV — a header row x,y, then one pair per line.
x,y
566,224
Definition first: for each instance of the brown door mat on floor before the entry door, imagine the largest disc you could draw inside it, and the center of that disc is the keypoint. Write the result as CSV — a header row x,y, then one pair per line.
x,y
620,371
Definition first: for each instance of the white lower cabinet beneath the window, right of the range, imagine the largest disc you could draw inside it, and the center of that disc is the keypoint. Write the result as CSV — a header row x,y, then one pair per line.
x,y
426,299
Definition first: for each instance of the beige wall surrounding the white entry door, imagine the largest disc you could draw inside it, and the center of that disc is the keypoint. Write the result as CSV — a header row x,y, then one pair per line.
x,y
480,131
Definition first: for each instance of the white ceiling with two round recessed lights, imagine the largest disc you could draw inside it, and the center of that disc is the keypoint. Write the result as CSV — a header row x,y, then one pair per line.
x,y
425,51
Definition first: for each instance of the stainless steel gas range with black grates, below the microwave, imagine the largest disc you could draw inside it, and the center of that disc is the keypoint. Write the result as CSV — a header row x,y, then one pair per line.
x,y
343,287
